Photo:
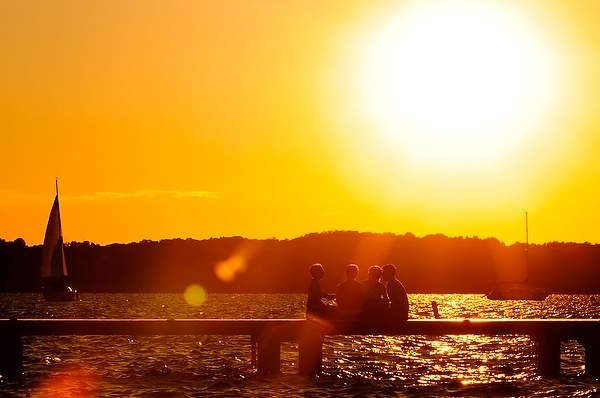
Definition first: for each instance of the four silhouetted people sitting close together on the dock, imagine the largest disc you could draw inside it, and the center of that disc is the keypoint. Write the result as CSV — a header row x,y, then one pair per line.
x,y
369,300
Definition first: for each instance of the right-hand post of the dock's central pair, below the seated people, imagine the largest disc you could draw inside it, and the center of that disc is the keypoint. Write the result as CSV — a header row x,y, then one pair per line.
x,y
310,350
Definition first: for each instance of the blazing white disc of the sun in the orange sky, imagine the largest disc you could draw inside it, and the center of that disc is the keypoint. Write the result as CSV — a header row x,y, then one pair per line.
x,y
454,83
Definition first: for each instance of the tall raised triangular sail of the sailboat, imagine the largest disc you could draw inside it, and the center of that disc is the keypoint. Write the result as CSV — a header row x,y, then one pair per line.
x,y
53,254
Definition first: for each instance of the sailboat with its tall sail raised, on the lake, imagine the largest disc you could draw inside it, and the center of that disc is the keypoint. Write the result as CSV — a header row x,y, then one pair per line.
x,y
53,271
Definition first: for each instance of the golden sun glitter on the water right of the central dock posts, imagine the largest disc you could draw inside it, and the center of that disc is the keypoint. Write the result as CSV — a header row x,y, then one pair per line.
x,y
459,359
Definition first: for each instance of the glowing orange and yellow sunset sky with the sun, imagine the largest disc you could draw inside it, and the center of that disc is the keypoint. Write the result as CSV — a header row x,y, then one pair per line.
x,y
200,119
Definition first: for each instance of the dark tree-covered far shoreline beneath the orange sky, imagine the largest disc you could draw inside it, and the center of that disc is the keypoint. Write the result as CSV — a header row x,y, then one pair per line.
x,y
430,264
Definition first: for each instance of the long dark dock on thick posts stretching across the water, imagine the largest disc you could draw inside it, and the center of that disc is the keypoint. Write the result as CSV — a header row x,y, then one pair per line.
x,y
267,335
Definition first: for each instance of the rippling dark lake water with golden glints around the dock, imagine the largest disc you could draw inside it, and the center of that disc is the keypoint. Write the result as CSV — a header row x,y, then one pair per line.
x,y
220,366
